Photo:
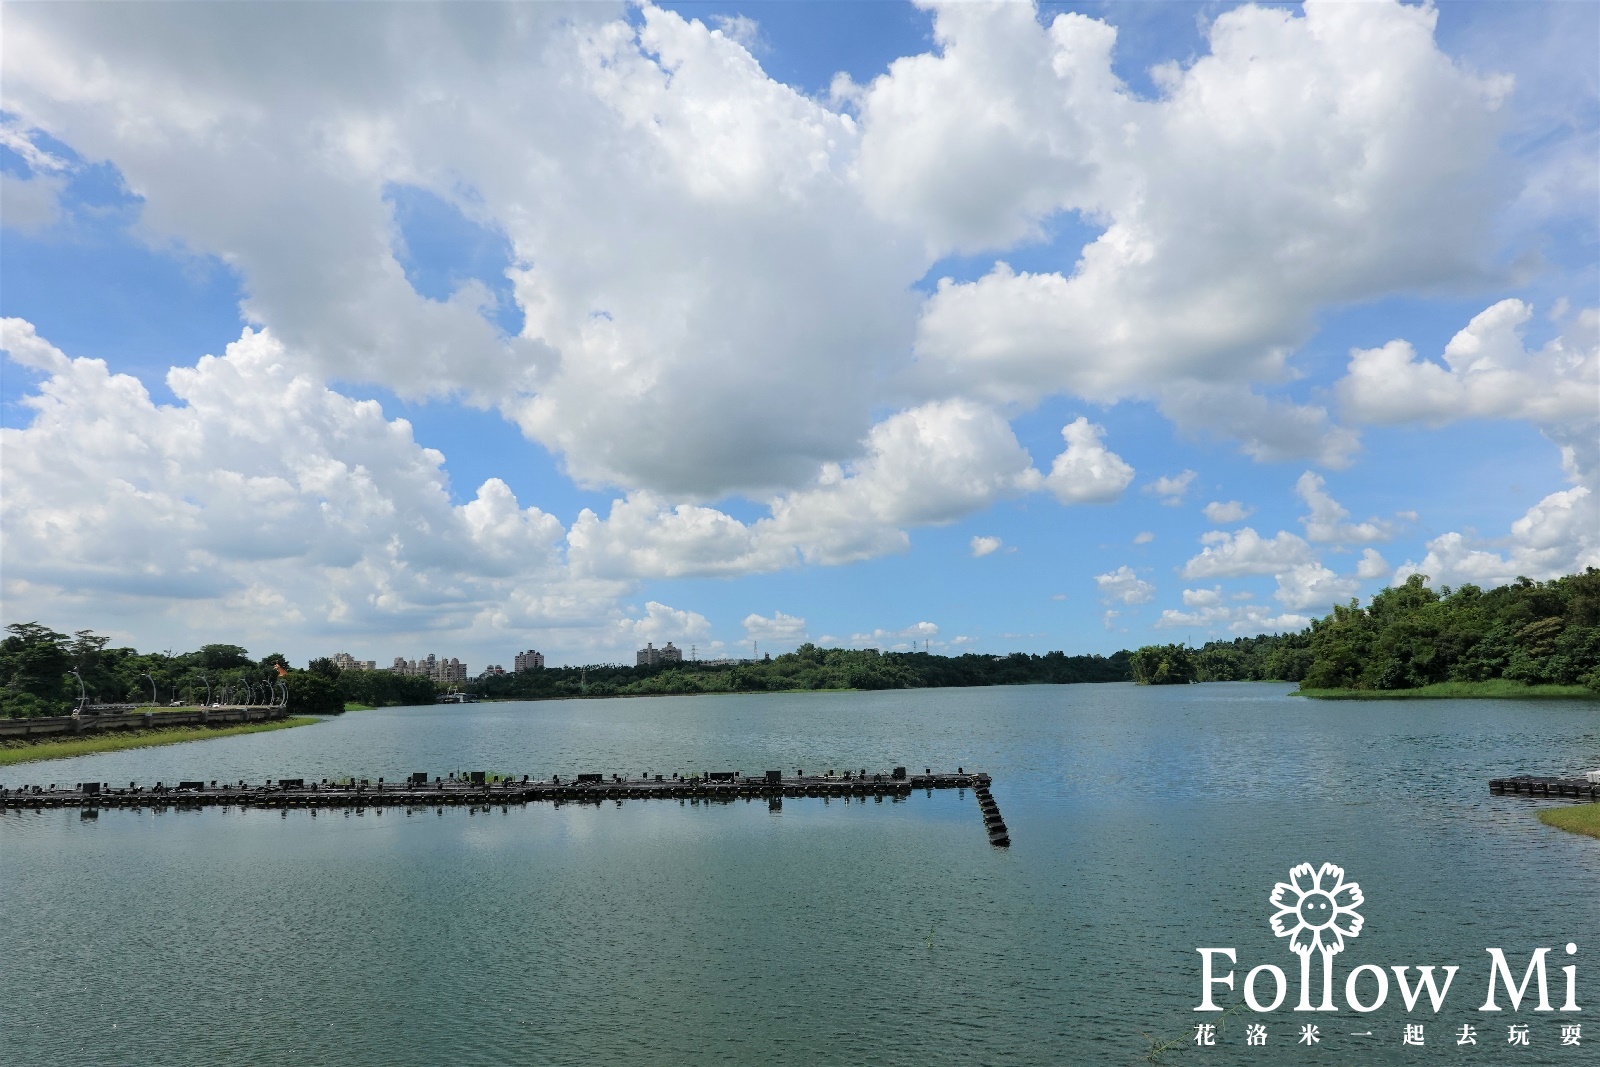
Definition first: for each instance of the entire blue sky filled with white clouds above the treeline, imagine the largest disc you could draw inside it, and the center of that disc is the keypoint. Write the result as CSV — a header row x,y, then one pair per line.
x,y
737,324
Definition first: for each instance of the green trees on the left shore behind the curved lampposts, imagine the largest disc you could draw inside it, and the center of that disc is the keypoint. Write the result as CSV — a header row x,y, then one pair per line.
x,y
41,674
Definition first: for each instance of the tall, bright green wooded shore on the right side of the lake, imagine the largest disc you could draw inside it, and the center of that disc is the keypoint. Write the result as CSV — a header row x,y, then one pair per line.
x,y
1410,637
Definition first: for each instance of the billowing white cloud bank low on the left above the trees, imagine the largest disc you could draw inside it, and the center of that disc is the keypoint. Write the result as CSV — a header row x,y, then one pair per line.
x,y
258,481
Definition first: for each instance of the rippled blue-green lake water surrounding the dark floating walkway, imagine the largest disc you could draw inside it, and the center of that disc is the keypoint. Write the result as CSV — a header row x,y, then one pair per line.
x,y
1145,823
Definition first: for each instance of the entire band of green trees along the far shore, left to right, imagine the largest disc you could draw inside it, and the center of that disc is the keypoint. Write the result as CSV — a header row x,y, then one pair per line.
x,y
1522,641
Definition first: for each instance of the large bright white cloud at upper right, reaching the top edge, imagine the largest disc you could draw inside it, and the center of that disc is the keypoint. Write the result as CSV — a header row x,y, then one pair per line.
x,y
1348,119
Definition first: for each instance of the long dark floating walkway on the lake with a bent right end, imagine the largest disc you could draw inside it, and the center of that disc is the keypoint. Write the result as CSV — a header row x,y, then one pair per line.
x,y
418,791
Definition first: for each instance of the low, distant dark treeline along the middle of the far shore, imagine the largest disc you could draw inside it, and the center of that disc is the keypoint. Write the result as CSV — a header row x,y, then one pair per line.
x,y
809,668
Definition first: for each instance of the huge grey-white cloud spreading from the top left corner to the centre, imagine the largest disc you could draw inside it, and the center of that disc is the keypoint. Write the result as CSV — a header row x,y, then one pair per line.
x,y
689,246
